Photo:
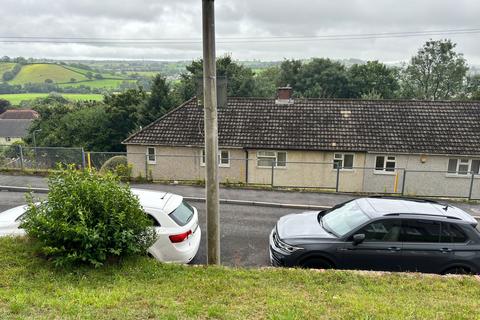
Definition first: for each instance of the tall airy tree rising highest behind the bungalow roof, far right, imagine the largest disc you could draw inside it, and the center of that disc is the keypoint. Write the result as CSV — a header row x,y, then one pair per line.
x,y
435,72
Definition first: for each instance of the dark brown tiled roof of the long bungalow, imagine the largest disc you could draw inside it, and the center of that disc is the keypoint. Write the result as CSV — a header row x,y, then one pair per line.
x,y
438,127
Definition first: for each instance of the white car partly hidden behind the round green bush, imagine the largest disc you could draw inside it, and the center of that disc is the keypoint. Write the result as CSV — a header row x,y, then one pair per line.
x,y
175,221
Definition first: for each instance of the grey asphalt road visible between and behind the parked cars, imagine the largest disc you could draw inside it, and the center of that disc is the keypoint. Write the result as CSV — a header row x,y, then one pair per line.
x,y
244,230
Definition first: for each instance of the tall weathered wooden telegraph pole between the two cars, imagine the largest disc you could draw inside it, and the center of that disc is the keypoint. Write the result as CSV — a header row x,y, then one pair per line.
x,y
211,132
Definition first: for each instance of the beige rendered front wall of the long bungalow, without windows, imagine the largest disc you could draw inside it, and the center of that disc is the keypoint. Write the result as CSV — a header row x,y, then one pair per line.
x,y
312,169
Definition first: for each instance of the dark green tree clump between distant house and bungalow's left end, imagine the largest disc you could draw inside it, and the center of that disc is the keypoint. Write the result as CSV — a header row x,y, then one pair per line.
x,y
95,126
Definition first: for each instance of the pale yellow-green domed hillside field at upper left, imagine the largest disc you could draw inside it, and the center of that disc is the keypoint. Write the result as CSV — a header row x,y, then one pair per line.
x,y
39,72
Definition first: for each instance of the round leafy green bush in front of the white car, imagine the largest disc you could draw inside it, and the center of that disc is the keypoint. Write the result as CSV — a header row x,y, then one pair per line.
x,y
88,218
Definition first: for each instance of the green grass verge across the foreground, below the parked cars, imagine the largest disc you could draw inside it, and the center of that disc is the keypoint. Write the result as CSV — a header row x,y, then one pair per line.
x,y
139,289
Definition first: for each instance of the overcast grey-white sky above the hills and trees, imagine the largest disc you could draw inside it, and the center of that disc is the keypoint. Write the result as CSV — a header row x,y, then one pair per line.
x,y
181,19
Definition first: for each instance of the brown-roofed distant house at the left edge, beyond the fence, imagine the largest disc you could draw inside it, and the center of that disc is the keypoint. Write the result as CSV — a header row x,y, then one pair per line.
x,y
14,125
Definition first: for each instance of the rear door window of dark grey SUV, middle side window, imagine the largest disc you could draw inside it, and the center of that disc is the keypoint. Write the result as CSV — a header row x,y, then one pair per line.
x,y
420,231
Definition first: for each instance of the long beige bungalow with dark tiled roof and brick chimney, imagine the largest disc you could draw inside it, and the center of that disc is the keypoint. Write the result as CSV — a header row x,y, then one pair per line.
x,y
416,147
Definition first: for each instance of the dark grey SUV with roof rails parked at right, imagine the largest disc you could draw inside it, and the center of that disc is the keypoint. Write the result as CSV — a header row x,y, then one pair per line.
x,y
379,233
